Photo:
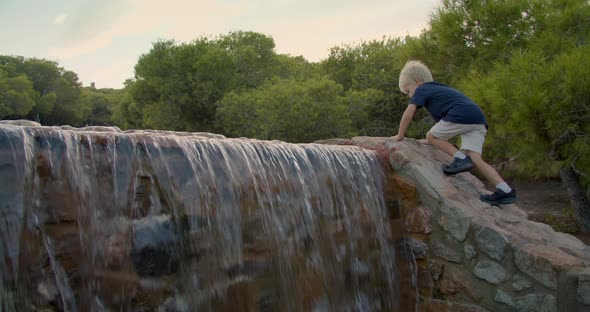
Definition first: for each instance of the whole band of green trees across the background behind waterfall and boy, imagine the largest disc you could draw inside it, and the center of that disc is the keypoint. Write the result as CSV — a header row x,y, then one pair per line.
x,y
526,62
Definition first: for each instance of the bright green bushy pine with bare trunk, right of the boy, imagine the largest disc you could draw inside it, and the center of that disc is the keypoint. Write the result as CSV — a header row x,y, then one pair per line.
x,y
543,106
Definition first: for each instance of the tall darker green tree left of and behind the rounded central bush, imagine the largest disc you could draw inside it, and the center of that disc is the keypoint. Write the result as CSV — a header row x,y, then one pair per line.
x,y
178,86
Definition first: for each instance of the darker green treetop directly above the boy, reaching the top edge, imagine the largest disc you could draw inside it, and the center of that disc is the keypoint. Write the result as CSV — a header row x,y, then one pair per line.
x,y
473,34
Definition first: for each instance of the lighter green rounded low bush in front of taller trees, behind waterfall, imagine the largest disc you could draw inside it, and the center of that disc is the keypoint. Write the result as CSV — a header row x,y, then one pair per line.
x,y
287,109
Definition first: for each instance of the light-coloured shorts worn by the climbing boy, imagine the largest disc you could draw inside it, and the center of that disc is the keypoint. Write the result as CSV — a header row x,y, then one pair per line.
x,y
472,136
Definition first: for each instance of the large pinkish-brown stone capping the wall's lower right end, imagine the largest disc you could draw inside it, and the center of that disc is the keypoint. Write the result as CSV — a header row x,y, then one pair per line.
x,y
544,262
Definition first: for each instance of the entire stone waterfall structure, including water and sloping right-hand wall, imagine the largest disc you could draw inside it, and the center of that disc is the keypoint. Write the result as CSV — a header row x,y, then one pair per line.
x,y
170,221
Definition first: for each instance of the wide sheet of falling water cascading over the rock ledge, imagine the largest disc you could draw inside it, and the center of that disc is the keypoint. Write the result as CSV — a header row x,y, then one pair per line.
x,y
162,221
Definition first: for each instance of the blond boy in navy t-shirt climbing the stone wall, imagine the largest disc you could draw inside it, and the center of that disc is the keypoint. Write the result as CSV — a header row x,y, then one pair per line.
x,y
455,114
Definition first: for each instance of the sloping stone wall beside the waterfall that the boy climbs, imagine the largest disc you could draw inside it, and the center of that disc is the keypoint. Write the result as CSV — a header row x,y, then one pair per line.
x,y
475,257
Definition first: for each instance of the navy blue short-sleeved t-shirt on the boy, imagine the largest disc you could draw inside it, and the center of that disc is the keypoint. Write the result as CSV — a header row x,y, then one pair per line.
x,y
448,104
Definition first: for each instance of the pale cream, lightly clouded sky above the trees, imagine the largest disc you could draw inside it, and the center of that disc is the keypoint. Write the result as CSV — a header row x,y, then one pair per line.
x,y
101,41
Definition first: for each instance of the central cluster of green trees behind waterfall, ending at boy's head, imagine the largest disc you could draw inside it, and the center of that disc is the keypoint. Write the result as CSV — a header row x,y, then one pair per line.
x,y
237,85
